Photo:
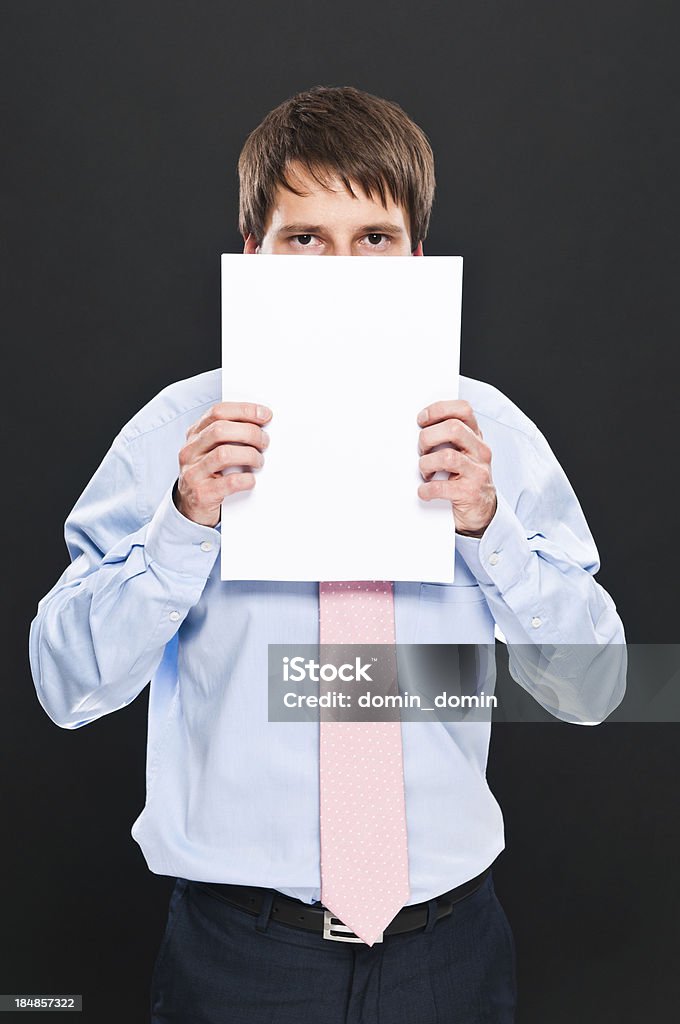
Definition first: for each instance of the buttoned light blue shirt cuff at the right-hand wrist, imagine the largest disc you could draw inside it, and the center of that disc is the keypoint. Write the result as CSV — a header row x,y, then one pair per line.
x,y
500,557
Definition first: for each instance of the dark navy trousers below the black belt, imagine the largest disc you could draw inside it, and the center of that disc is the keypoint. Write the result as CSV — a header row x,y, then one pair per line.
x,y
221,965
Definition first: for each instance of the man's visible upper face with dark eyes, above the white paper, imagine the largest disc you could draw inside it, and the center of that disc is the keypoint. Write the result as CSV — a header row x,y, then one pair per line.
x,y
328,222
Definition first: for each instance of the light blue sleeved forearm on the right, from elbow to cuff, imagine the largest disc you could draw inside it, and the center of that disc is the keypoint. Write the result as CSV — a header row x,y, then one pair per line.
x,y
566,641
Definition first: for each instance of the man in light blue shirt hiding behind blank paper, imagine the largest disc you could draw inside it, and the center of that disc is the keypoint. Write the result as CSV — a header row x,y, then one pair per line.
x,y
233,801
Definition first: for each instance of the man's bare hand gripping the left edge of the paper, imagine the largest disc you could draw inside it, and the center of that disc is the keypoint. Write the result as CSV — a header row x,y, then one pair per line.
x,y
229,435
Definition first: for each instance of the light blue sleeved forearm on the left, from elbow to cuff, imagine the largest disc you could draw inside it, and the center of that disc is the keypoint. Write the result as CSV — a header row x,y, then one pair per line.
x,y
100,634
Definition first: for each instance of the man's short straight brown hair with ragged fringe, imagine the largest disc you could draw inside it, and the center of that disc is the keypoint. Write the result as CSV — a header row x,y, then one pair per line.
x,y
339,132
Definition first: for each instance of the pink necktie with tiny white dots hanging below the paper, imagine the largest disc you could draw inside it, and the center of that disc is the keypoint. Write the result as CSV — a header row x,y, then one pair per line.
x,y
364,851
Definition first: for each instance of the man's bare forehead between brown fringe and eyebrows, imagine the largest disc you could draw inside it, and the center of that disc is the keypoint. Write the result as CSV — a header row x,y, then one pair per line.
x,y
328,202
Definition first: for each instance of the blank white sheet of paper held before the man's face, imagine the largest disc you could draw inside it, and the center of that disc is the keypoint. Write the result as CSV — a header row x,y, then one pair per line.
x,y
346,351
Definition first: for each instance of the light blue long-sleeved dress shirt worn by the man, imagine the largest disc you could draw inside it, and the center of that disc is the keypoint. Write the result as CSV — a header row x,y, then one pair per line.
x,y
232,797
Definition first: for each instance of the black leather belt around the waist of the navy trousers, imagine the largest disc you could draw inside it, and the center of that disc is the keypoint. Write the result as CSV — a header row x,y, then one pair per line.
x,y
316,918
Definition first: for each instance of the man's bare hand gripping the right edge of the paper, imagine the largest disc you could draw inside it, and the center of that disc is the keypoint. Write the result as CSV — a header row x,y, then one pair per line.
x,y
465,457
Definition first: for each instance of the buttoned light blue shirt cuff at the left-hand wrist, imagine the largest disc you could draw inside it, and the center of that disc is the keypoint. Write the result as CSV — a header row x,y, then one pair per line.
x,y
180,544
